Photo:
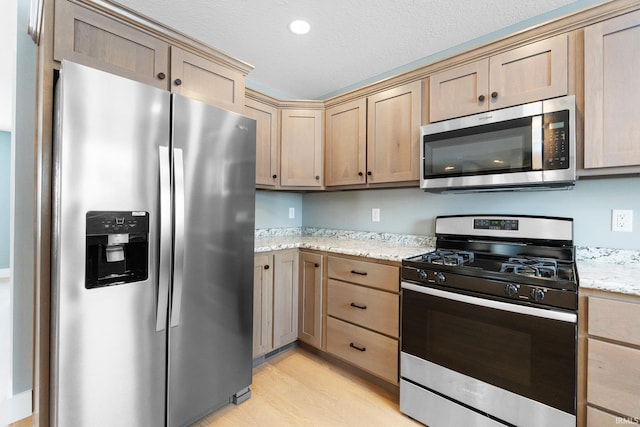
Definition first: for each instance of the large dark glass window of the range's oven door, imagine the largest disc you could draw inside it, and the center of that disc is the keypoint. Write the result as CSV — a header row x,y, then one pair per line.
x,y
527,355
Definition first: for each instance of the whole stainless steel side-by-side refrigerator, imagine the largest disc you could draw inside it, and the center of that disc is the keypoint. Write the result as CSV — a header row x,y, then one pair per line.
x,y
152,257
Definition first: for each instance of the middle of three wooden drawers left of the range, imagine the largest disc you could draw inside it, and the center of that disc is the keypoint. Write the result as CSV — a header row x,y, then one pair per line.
x,y
373,309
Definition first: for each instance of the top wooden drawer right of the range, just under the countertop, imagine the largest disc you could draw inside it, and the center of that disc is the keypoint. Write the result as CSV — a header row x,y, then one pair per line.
x,y
615,320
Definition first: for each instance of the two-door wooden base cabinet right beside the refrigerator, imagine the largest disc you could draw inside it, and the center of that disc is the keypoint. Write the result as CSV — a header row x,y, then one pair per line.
x,y
275,300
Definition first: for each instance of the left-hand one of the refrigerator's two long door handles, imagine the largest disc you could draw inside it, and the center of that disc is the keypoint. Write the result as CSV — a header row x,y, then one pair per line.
x,y
164,272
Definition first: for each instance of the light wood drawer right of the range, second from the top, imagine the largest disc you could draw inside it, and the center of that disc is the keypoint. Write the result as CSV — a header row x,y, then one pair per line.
x,y
613,377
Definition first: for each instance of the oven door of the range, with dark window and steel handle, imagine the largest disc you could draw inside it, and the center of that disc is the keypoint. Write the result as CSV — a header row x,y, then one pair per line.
x,y
514,362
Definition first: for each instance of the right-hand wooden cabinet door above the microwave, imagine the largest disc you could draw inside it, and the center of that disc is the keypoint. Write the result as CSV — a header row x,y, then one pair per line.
x,y
529,73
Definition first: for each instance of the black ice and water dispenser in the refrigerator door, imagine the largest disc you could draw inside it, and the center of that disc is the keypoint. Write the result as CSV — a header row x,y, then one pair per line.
x,y
117,249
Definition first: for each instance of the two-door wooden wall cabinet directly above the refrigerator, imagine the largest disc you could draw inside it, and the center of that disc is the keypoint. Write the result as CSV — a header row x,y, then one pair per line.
x,y
124,47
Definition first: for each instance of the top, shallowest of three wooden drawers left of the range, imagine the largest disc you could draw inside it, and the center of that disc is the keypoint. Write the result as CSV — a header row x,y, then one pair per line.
x,y
365,273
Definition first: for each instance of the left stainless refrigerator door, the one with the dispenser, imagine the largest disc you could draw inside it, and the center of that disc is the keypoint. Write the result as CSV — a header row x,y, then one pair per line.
x,y
108,363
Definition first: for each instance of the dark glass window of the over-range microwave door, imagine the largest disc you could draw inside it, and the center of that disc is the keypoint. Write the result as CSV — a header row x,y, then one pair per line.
x,y
503,147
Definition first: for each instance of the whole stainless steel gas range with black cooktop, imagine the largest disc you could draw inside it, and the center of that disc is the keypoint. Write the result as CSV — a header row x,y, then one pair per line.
x,y
489,324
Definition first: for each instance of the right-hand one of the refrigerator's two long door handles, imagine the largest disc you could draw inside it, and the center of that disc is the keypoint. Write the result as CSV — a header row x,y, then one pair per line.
x,y
178,260
